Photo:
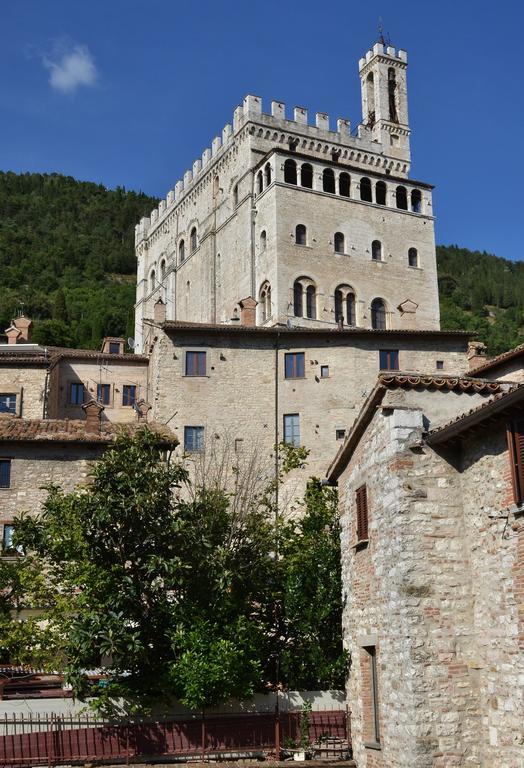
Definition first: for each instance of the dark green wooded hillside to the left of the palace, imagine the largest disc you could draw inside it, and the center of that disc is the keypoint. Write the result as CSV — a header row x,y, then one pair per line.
x,y
67,256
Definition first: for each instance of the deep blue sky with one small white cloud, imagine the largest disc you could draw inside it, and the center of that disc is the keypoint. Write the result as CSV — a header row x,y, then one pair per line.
x,y
129,92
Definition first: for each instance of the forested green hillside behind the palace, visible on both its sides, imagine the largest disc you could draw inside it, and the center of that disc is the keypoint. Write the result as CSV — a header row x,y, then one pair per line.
x,y
67,258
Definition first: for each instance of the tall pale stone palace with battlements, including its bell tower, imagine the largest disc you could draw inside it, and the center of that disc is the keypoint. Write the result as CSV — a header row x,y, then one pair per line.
x,y
229,229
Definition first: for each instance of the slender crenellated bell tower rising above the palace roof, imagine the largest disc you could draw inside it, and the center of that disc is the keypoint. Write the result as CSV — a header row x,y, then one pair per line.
x,y
384,98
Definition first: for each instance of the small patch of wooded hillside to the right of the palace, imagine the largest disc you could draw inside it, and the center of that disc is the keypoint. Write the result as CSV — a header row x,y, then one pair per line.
x,y
483,293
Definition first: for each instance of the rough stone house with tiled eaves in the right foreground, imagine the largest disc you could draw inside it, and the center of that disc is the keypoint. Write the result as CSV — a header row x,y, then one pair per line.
x,y
431,483
